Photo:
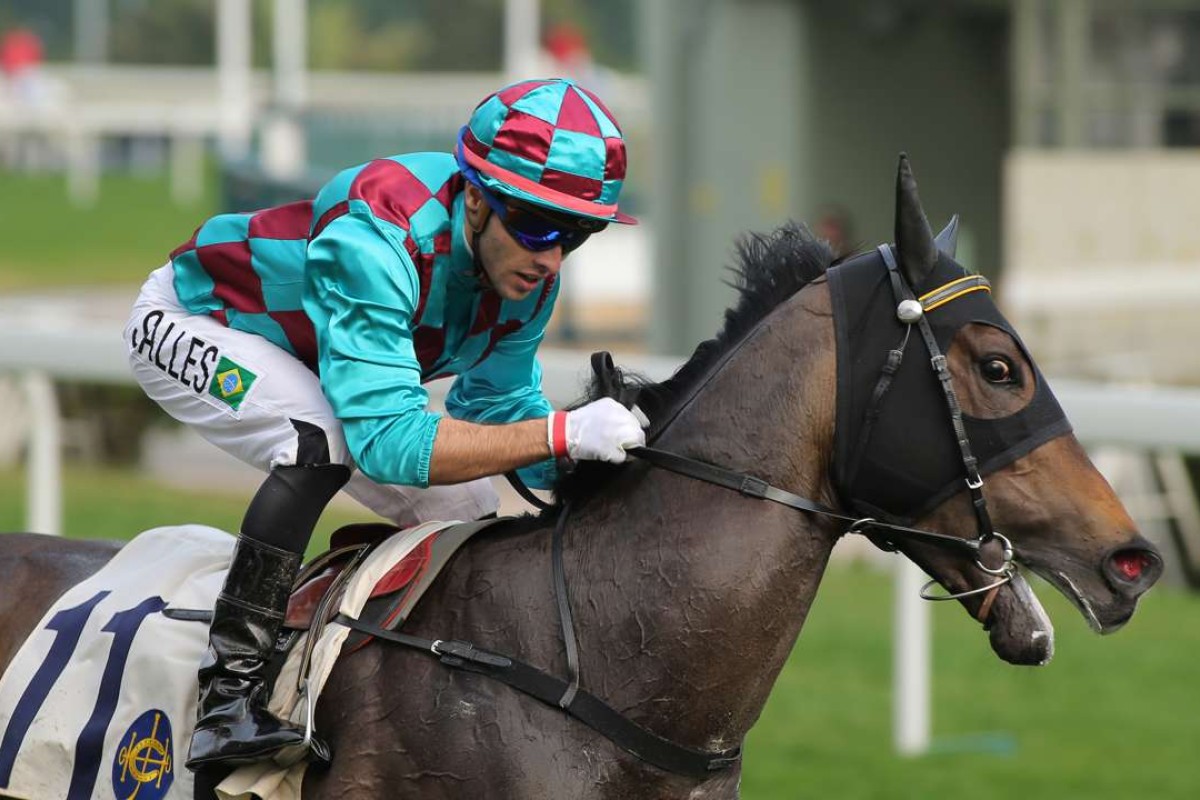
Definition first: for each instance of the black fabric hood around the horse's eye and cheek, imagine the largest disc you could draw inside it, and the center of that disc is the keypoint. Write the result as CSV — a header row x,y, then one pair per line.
x,y
910,461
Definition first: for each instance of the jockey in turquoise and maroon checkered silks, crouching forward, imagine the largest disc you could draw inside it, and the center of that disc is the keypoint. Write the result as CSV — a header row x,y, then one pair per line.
x,y
298,339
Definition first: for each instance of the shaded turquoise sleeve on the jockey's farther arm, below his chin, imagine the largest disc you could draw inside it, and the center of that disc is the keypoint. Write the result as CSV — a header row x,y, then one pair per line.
x,y
507,387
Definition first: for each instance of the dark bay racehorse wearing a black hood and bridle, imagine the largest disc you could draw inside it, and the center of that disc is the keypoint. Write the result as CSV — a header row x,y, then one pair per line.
x,y
689,588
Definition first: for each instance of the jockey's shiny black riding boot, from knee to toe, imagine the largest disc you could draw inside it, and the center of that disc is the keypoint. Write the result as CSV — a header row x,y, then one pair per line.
x,y
235,726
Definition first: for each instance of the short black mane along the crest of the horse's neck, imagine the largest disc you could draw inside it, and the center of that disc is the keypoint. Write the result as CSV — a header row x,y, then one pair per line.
x,y
771,268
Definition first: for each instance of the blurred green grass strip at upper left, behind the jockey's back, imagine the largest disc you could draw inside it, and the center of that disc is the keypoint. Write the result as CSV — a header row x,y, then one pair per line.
x,y
130,232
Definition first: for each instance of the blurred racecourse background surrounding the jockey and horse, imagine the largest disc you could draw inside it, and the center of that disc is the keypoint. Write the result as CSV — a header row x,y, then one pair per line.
x,y
1065,133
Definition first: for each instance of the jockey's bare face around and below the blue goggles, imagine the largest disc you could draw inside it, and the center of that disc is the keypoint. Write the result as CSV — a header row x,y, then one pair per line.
x,y
512,270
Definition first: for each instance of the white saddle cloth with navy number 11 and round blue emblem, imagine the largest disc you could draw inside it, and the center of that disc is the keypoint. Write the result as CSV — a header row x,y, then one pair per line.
x,y
100,702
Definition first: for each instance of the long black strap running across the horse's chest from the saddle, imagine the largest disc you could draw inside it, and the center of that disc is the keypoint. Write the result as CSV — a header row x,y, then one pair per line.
x,y
550,690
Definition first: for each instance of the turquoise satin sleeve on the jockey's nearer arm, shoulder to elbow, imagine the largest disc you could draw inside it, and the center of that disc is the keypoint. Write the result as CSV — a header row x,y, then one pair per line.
x,y
361,292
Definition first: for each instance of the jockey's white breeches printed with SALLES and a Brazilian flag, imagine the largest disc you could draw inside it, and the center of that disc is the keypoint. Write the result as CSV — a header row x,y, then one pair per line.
x,y
274,411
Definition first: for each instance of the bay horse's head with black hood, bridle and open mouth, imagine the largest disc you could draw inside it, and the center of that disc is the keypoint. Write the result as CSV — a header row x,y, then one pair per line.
x,y
1042,494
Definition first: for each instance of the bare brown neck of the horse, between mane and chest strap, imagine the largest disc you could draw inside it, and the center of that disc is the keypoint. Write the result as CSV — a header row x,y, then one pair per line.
x,y
701,593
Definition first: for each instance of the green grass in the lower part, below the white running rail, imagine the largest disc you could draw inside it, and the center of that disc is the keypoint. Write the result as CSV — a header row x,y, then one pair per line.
x,y
1111,718
